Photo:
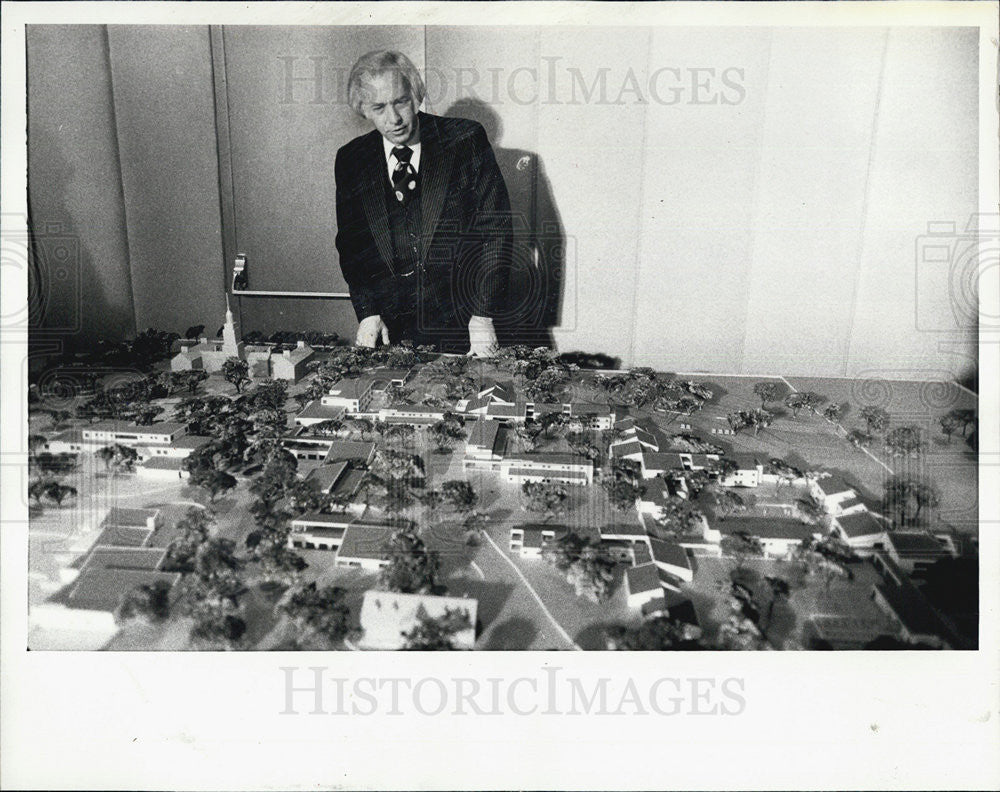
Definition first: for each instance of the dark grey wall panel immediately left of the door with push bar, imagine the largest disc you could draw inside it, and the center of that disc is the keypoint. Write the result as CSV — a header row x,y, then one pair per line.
x,y
165,122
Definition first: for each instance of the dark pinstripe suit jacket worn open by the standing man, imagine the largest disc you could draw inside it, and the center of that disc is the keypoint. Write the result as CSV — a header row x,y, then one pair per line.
x,y
466,224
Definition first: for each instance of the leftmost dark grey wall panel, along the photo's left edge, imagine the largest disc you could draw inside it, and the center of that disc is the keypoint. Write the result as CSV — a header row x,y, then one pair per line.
x,y
74,186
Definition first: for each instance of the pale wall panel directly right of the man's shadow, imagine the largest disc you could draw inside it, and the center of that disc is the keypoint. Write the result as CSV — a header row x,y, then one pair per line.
x,y
590,141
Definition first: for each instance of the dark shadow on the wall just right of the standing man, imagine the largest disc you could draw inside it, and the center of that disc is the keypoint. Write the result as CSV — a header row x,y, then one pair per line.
x,y
538,262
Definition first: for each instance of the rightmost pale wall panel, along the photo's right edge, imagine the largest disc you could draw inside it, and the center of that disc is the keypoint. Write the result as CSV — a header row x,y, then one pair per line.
x,y
910,320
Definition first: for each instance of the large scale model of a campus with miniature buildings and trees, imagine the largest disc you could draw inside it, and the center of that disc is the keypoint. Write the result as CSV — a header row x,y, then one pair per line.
x,y
293,493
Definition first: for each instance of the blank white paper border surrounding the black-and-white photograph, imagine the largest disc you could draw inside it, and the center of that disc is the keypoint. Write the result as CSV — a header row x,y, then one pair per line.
x,y
824,720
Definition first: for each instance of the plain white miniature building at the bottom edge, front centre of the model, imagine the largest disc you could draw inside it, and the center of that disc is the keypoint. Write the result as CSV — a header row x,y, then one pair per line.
x,y
386,616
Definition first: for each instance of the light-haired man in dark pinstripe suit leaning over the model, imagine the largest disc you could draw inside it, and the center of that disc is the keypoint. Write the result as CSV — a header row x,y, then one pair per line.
x,y
423,217
